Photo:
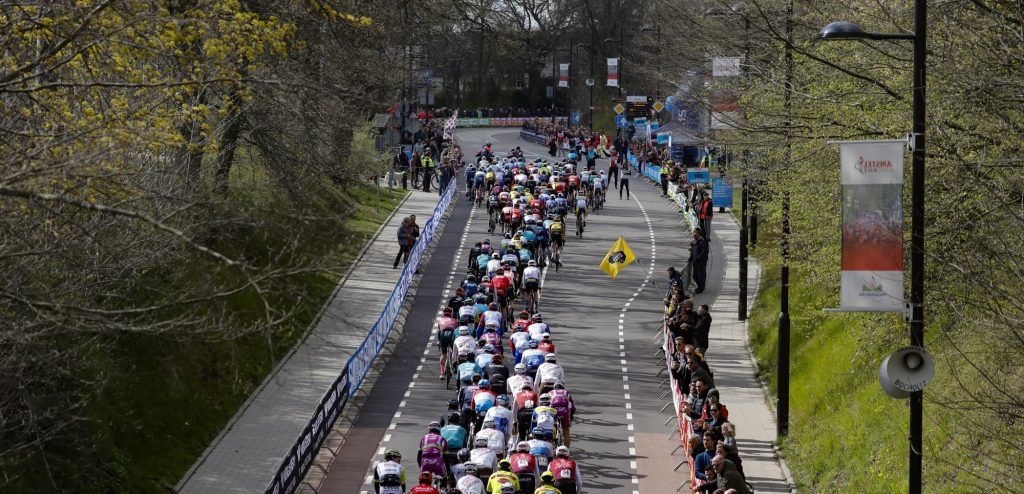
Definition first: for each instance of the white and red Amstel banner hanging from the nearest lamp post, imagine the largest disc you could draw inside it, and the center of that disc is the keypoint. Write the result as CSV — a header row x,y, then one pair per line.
x,y
873,226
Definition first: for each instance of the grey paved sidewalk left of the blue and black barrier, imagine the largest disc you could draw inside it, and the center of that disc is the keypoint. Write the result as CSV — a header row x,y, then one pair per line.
x,y
246,456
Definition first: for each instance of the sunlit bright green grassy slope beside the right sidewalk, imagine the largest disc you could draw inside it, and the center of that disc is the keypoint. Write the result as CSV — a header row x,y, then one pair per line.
x,y
845,434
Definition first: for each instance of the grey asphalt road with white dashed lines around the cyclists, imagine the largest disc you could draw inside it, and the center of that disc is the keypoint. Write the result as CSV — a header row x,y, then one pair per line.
x,y
604,331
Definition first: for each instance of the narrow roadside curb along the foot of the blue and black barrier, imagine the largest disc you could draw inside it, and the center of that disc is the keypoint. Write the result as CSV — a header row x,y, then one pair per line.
x,y
336,438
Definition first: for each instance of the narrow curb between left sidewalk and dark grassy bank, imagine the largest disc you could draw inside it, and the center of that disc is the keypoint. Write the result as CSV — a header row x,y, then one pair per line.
x,y
288,356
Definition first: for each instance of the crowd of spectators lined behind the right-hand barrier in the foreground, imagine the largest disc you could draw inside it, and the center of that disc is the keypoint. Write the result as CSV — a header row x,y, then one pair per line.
x,y
712,445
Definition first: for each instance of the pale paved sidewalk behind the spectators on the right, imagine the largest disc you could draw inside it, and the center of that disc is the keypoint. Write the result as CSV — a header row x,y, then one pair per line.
x,y
735,372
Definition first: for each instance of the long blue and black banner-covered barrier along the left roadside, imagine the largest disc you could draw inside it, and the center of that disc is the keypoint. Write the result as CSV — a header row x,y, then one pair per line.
x,y
301,458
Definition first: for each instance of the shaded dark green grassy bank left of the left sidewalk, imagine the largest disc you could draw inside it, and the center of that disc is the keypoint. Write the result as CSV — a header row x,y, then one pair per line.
x,y
166,400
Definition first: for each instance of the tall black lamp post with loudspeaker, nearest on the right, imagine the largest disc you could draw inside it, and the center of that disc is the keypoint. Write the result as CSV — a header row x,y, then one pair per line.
x,y
845,31
